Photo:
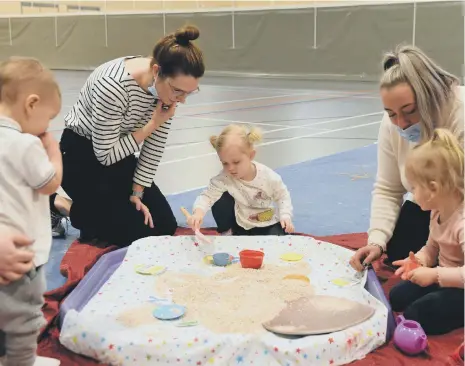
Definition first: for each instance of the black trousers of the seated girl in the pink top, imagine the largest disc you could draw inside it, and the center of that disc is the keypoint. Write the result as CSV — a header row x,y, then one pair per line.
x,y
439,310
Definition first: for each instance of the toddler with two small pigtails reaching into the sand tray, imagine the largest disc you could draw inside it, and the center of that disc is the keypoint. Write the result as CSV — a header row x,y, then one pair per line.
x,y
252,189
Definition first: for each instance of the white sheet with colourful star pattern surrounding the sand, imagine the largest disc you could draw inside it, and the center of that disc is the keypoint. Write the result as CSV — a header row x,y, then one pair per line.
x,y
94,332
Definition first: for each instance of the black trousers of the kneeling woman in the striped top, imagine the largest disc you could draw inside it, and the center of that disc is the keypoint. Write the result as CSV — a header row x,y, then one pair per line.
x,y
101,208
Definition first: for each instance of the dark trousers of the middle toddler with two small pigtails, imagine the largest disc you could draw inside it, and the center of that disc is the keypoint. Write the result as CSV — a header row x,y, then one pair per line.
x,y
225,217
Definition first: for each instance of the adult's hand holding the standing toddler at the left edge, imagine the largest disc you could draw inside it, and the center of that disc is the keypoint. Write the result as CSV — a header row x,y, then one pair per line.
x,y
15,260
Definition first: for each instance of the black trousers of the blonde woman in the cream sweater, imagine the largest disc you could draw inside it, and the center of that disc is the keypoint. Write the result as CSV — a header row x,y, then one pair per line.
x,y
410,233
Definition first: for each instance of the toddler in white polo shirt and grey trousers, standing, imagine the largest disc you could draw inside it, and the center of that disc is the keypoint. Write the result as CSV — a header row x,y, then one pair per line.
x,y
31,166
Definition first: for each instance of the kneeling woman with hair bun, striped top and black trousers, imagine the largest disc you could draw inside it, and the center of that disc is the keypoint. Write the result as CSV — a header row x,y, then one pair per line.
x,y
125,103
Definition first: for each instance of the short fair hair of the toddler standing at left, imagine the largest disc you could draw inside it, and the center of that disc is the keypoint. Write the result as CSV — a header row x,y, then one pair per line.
x,y
19,74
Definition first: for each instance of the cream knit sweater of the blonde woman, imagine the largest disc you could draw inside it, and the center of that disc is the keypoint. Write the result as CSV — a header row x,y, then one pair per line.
x,y
391,184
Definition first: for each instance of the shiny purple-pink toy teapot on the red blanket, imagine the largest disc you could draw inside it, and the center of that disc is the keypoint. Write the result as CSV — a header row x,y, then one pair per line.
x,y
409,336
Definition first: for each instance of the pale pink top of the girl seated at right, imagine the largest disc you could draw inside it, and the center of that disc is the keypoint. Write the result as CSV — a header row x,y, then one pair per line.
x,y
445,249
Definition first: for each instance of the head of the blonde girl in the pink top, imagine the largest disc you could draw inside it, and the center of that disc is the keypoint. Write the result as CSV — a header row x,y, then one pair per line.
x,y
440,160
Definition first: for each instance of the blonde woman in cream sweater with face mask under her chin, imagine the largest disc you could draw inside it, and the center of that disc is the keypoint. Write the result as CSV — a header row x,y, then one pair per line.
x,y
418,96
